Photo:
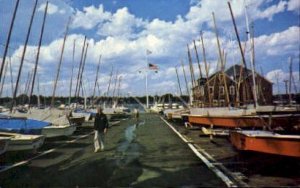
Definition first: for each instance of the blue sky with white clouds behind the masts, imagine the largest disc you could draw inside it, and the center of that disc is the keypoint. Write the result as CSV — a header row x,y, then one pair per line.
x,y
122,31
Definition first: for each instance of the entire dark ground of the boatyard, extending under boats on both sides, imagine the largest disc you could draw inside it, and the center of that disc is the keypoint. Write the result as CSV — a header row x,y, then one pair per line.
x,y
148,154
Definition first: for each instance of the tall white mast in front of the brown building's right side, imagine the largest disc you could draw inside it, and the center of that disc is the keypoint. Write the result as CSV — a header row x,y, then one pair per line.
x,y
251,58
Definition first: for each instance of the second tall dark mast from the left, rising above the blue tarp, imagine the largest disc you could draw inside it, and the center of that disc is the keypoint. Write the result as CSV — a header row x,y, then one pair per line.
x,y
23,56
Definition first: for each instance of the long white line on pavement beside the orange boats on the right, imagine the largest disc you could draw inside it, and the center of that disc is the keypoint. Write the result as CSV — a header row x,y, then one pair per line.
x,y
211,166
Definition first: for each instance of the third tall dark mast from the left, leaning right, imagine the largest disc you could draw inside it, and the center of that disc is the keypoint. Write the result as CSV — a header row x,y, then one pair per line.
x,y
38,52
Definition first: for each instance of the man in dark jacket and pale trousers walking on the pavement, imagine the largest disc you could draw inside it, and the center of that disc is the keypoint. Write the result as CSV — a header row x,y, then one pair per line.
x,y
100,127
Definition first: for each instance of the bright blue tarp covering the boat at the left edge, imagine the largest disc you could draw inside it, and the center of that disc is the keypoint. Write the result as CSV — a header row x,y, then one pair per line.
x,y
23,126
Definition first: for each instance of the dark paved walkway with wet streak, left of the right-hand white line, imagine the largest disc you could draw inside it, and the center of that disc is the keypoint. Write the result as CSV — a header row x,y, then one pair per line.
x,y
145,155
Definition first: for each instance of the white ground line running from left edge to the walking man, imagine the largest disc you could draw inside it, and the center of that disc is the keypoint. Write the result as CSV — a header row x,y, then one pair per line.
x,y
43,153
